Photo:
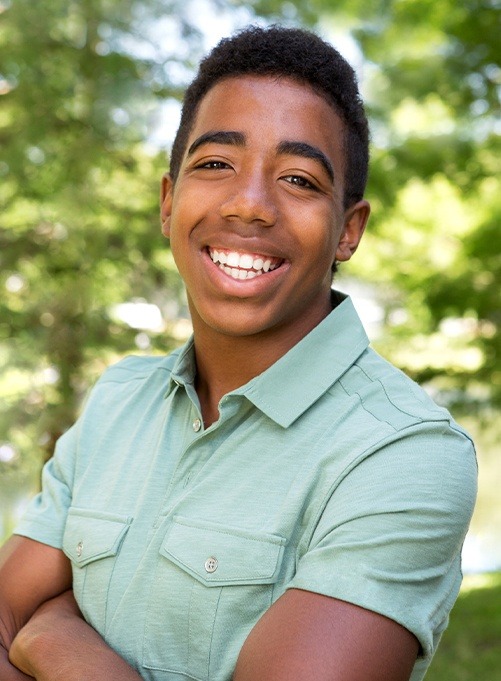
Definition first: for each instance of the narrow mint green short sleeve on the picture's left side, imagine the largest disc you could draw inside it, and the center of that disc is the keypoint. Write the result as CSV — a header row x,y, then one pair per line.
x,y
45,517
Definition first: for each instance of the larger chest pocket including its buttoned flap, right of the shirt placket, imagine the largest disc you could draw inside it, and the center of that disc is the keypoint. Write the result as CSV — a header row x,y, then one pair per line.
x,y
211,585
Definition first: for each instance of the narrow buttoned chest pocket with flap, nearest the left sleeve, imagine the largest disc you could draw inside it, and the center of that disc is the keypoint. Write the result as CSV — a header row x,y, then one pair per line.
x,y
92,541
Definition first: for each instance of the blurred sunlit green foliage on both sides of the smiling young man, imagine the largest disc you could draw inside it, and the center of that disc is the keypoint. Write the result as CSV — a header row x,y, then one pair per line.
x,y
81,88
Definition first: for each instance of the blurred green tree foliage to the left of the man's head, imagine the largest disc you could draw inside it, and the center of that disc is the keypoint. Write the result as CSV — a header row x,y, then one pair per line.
x,y
79,228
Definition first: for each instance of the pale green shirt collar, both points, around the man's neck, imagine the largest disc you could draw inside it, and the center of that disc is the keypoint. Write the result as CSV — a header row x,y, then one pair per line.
x,y
292,384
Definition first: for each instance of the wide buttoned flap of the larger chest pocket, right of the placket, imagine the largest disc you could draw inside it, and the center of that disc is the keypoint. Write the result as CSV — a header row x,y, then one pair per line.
x,y
218,556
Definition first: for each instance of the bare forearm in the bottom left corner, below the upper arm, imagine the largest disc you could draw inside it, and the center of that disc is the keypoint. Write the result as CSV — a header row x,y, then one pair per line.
x,y
58,645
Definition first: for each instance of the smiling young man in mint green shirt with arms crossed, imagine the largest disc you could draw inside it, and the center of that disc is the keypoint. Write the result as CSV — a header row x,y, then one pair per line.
x,y
273,501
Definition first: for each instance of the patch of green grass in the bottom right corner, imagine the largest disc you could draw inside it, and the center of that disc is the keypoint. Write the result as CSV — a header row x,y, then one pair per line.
x,y
470,649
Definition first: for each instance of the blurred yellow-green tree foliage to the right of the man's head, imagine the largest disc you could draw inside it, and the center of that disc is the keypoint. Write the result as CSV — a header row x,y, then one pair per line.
x,y
433,85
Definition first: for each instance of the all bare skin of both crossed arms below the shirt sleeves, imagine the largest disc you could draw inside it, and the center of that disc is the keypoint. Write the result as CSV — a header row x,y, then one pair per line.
x,y
303,636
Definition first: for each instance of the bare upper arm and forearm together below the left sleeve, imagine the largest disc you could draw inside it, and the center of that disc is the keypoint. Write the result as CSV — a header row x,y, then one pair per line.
x,y
42,633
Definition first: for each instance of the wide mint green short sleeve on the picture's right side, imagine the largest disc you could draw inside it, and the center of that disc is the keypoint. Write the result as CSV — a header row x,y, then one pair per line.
x,y
389,538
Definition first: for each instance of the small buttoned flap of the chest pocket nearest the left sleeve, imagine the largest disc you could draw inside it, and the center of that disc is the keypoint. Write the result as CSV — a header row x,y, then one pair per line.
x,y
91,535
